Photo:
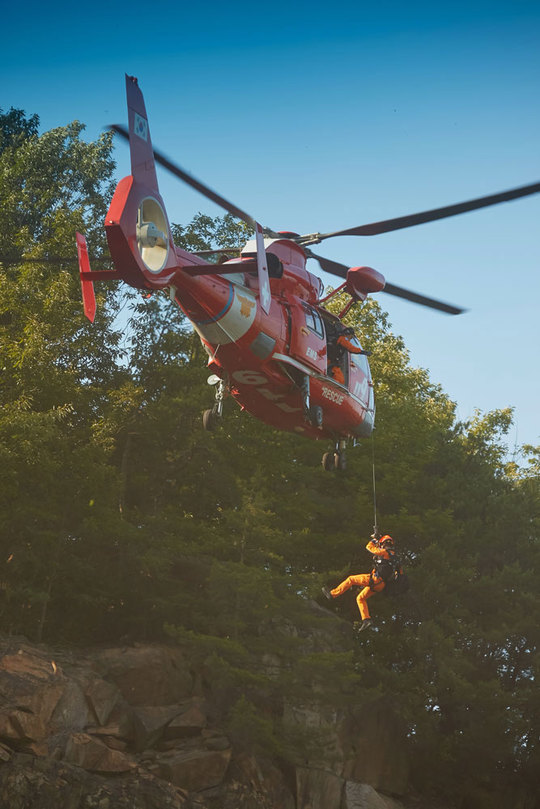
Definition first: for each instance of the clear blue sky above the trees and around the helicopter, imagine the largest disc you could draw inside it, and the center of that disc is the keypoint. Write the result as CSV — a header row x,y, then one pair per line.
x,y
320,116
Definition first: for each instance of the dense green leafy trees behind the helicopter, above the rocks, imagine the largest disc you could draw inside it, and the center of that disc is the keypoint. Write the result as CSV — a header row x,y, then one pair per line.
x,y
120,516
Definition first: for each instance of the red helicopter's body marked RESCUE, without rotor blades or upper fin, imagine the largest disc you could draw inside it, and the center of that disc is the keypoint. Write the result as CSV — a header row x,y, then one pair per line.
x,y
275,364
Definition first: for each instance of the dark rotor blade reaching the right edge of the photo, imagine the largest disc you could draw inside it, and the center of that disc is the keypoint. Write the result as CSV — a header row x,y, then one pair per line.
x,y
400,222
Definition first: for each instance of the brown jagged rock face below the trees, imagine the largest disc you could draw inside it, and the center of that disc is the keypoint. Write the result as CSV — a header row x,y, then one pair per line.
x,y
133,727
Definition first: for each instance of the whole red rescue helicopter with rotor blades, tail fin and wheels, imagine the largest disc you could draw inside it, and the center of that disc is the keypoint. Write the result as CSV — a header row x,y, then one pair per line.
x,y
260,316
